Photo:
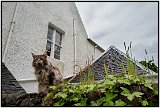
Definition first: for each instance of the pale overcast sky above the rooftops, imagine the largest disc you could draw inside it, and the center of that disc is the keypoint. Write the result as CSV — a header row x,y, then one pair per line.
x,y
113,23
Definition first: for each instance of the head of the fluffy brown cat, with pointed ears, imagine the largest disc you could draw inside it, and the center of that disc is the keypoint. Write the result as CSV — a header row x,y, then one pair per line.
x,y
39,61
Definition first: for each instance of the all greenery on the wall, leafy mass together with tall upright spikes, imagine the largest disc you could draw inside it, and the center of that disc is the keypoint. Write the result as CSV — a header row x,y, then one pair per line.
x,y
128,89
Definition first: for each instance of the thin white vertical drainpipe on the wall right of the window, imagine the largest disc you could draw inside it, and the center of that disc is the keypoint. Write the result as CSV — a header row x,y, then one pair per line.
x,y
75,53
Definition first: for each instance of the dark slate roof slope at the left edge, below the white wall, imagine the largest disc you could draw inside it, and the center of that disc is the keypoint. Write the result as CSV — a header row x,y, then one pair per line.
x,y
9,83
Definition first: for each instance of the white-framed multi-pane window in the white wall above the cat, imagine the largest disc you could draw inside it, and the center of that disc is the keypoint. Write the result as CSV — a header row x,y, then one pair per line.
x,y
54,40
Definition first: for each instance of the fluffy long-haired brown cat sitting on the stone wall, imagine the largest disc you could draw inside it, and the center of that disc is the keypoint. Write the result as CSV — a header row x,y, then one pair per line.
x,y
46,73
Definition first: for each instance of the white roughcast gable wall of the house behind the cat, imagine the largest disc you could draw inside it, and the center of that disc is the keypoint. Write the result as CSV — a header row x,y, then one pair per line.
x,y
30,36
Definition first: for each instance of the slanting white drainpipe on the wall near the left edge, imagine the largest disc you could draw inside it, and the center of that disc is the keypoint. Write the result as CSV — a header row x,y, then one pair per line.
x,y
10,31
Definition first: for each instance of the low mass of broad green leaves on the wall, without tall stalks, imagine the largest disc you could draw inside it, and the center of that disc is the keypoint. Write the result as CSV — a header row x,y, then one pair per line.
x,y
106,92
